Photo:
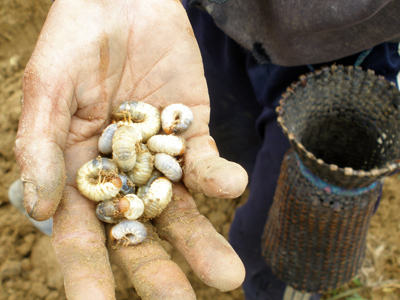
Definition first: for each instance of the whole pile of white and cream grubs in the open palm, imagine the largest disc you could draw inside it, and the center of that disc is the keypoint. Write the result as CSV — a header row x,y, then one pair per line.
x,y
136,164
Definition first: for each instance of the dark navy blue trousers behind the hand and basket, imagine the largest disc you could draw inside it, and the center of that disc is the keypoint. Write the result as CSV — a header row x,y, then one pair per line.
x,y
243,97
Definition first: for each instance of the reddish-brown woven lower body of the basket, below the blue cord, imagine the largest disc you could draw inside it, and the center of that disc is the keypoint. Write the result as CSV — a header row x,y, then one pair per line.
x,y
315,240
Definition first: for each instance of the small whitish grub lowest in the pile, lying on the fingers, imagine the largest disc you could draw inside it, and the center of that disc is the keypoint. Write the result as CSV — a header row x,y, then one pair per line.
x,y
129,232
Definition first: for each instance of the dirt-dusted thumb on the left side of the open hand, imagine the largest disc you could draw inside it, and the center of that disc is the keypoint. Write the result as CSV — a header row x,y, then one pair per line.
x,y
41,137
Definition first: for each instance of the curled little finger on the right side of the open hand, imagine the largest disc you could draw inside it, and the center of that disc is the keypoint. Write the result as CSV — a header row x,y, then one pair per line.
x,y
210,174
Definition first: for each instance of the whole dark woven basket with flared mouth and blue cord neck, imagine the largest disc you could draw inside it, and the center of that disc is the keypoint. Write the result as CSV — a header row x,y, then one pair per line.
x,y
343,124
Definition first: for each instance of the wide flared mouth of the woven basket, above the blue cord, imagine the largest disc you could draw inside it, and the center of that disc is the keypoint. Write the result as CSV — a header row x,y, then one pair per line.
x,y
344,123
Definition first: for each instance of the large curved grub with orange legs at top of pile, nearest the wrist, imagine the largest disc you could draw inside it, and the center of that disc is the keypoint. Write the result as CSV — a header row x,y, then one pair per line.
x,y
144,116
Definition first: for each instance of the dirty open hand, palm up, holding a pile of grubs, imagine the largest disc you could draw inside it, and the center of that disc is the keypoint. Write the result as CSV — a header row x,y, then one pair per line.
x,y
90,57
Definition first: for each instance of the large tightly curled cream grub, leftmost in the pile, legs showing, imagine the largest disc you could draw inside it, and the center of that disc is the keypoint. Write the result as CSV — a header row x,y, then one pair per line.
x,y
98,179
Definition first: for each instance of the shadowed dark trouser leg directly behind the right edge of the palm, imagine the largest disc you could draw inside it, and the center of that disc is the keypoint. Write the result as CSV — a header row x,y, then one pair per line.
x,y
234,109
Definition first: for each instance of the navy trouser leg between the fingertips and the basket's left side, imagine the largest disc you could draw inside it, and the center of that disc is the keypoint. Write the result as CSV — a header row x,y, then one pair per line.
x,y
249,219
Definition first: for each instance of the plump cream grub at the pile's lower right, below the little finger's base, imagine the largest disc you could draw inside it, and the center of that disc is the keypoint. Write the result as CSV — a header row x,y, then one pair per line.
x,y
157,198
